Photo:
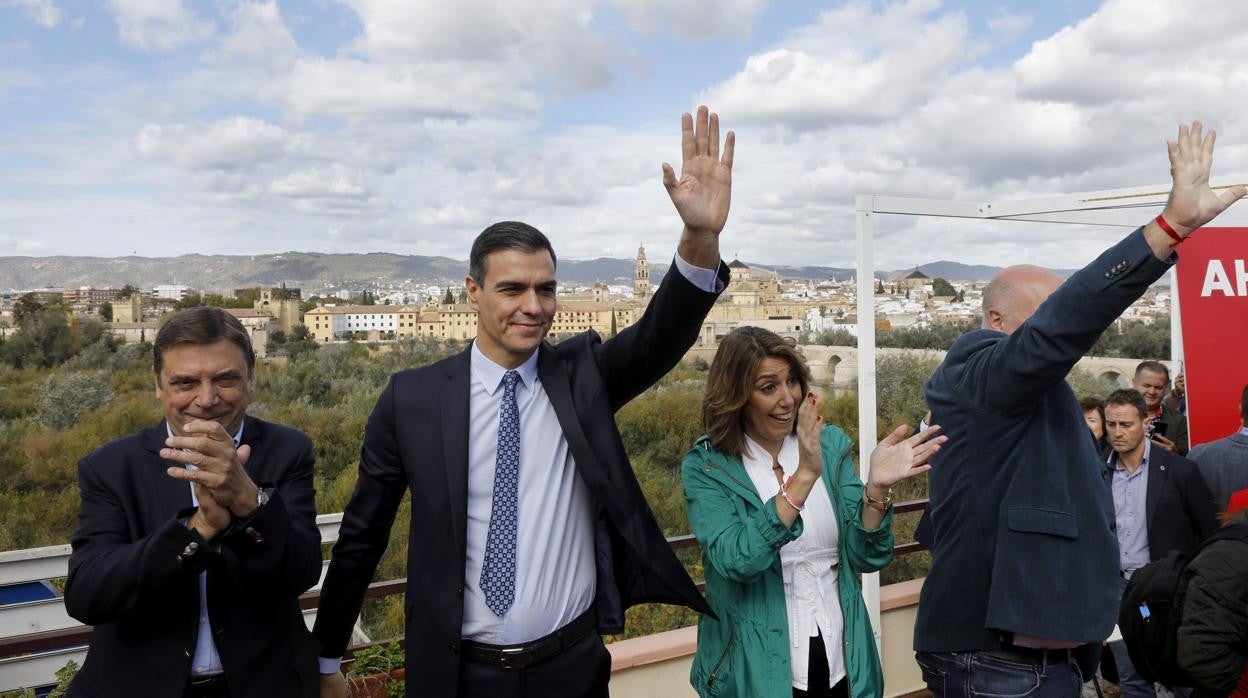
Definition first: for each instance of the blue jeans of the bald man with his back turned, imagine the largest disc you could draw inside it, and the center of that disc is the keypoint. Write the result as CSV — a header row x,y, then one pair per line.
x,y
965,675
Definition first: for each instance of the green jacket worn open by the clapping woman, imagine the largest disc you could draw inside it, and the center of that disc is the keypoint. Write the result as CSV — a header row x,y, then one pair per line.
x,y
746,654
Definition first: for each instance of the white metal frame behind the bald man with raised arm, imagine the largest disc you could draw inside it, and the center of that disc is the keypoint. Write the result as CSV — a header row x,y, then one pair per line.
x,y
1111,208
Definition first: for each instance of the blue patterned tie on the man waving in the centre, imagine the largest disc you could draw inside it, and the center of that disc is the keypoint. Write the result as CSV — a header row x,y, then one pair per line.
x,y
499,573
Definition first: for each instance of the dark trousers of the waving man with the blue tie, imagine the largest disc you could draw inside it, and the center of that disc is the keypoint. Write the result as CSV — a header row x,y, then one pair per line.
x,y
582,670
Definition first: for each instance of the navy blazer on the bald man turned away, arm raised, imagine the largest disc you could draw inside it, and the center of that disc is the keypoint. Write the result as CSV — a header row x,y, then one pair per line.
x,y
1023,524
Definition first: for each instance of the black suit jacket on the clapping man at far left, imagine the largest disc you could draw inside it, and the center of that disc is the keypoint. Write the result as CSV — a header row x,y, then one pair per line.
x,y
132,578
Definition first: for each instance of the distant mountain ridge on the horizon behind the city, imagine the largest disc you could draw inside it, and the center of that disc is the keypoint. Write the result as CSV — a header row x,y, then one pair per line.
x,y
314,272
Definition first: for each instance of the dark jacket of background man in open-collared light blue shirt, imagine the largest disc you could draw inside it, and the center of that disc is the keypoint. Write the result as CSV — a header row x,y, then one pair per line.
x,y
1180,511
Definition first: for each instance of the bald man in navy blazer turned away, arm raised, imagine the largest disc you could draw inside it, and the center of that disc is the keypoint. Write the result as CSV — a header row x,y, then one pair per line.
x,y
1024,551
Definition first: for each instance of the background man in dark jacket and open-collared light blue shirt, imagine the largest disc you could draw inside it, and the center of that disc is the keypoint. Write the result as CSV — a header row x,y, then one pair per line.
x,y
1161,504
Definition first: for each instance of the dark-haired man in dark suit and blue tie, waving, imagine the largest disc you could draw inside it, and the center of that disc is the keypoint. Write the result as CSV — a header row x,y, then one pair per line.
x,y
529,529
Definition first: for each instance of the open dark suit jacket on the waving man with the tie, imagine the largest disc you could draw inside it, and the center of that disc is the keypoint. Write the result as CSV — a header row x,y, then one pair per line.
x,y
417,439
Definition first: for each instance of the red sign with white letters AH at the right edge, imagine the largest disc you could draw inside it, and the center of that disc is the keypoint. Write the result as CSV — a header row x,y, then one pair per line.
x,y
1214,308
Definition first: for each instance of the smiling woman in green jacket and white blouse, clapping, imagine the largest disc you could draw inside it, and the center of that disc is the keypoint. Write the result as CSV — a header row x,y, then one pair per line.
x,y
778,508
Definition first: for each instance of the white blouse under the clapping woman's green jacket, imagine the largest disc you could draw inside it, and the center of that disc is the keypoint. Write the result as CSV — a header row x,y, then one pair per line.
x,y
812,590
